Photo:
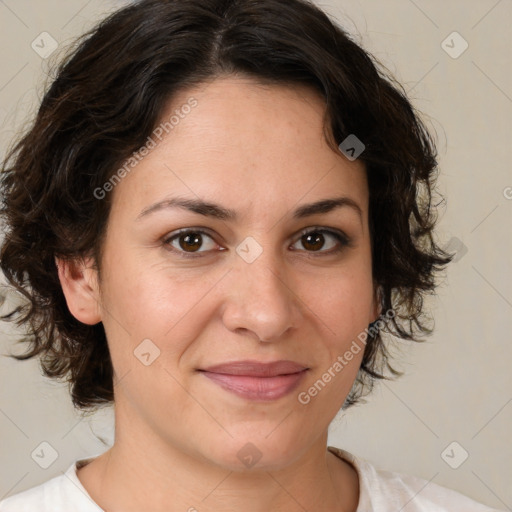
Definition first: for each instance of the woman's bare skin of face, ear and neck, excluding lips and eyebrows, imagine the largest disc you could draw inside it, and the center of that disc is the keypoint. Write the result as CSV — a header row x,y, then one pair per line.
x,y
259,150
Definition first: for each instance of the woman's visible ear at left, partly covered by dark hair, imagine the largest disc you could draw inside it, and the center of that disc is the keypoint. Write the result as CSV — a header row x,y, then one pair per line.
x,y
79,282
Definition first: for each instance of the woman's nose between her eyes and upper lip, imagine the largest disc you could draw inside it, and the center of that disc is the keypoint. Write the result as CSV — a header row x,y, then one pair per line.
x,y
260,298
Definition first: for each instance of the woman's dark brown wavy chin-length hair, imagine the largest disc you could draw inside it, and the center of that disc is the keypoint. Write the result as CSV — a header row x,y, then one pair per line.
x,y
106,99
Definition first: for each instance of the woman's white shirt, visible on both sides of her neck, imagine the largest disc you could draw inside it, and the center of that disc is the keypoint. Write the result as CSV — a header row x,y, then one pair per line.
x,y
380,491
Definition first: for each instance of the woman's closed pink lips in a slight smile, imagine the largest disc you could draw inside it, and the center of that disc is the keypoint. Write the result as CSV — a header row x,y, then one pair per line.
x,y
254,380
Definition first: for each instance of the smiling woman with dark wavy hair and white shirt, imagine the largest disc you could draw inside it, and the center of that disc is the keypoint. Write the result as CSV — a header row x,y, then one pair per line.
x,y
219,208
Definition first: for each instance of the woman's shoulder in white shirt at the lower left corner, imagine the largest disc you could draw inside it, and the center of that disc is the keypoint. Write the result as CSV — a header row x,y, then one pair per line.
x,y
55,495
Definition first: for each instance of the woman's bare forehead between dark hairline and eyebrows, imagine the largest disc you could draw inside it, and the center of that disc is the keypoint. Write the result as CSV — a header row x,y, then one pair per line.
x,y
243,142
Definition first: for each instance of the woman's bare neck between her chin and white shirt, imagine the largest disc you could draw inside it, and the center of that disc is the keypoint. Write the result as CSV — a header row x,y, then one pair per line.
x,y
165,477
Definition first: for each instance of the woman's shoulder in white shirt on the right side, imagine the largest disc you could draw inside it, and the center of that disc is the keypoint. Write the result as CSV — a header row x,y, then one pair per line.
x,y
387,491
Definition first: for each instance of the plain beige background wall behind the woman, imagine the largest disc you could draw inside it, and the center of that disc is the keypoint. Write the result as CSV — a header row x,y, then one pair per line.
x,y
458,385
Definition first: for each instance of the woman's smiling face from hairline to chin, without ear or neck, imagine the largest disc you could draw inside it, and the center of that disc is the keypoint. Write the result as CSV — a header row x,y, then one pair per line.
x,y
248,287
